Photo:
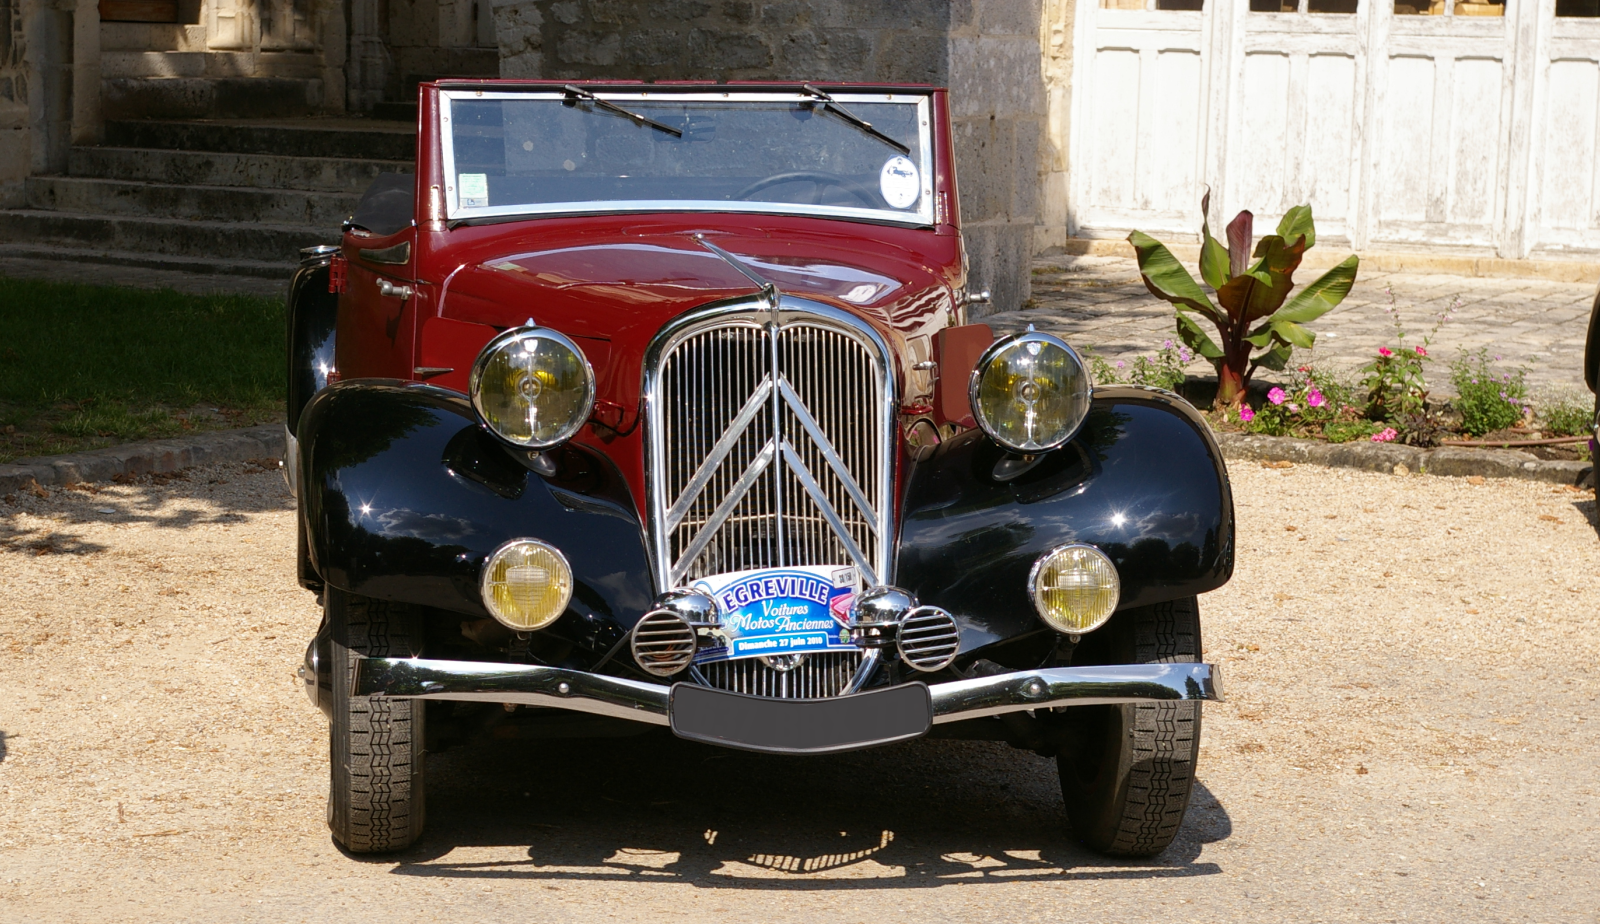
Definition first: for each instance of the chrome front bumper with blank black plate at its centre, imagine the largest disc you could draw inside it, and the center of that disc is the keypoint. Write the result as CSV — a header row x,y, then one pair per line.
x,y
846,723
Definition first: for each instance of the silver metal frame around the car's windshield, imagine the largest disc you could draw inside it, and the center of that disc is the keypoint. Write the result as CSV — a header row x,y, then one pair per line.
x,y
922,218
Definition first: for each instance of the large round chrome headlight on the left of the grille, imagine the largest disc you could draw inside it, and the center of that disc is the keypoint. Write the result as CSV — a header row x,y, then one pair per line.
x,y
534,388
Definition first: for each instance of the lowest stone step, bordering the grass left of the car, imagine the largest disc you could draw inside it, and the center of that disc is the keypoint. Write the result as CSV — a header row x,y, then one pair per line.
x,y
217,241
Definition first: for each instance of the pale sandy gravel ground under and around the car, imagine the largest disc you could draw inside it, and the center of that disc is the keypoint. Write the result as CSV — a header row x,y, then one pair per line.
x,y
1410,736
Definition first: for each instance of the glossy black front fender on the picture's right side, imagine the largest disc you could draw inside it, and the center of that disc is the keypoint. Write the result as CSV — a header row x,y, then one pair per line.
x,y
1143,482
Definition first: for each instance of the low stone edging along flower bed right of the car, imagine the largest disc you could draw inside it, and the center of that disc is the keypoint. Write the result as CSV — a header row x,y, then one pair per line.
x,y
1390,460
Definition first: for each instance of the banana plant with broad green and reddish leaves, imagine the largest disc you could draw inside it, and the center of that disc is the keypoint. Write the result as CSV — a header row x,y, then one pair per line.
x,y
1257,322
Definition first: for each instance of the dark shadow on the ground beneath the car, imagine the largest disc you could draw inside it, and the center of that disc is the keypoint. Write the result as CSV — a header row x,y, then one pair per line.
x,y
655,808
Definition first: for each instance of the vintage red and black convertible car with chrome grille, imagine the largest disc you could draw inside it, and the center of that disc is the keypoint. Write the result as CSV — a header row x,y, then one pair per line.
x,y
657,407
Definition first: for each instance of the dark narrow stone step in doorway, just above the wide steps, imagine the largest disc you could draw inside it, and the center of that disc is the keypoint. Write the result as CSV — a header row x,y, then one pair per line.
x,y
210,97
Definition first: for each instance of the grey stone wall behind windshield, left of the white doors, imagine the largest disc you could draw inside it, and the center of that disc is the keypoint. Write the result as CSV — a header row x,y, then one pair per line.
x,y
986,52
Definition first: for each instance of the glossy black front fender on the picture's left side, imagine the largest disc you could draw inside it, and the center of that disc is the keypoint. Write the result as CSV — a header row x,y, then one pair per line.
x,y
404,496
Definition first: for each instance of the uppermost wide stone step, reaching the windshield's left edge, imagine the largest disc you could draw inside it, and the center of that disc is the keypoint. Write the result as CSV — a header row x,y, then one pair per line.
x,y
354,138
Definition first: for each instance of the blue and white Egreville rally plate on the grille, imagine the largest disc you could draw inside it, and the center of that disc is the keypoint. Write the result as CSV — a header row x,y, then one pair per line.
x,y
782,611
